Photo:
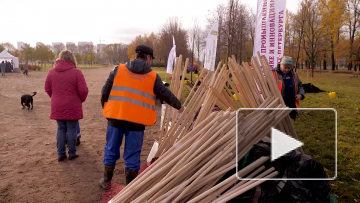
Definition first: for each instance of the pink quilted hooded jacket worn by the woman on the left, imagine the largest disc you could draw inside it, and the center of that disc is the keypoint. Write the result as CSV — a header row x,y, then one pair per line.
x,y
66,86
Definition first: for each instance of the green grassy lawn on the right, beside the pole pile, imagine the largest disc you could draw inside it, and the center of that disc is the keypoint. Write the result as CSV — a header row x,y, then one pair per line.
x,y
347,104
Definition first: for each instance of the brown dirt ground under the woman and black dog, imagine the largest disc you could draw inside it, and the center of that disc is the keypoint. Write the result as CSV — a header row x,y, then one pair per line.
x,y
29,169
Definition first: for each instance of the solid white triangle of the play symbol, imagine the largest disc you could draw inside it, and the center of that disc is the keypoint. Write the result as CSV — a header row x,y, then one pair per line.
x,y
282,144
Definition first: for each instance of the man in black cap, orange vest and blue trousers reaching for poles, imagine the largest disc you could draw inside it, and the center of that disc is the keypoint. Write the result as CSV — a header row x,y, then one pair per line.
x,y
128,101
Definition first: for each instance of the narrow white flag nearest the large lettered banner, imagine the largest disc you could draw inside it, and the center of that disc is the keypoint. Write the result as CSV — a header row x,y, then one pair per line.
x,y
211,44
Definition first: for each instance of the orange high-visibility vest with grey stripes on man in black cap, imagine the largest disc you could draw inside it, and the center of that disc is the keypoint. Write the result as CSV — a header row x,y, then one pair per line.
x,y
132,97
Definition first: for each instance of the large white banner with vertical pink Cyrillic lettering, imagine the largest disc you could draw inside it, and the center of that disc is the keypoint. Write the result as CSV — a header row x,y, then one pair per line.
x,y
270,30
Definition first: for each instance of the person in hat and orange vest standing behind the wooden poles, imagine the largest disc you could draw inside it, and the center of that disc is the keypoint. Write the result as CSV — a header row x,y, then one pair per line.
x,y
289,84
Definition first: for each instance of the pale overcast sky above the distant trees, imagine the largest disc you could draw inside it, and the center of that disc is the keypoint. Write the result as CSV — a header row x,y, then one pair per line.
x,y
114,21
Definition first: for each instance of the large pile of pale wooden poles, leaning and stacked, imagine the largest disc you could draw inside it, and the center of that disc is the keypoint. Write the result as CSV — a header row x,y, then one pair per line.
x,y
196,153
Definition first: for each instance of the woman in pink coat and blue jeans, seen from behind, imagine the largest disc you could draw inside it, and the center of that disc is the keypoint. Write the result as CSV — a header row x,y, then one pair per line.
x,y
66,86
